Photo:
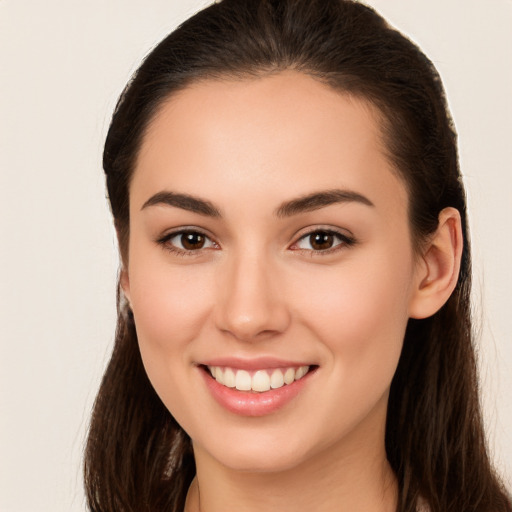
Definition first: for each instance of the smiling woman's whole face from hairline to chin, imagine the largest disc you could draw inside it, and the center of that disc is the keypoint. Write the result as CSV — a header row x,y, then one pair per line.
x,y
270,269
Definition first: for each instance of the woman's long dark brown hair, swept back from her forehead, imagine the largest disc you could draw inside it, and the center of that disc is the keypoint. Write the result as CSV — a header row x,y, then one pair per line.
x,y
137,457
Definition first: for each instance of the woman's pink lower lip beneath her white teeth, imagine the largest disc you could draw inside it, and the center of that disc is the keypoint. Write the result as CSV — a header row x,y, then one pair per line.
x,y
245,403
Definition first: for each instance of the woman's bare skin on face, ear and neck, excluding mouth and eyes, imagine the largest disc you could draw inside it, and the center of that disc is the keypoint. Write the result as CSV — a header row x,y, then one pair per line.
x,y
259,288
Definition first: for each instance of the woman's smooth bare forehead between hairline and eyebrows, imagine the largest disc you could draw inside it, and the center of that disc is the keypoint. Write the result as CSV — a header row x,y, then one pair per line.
x,y
274,136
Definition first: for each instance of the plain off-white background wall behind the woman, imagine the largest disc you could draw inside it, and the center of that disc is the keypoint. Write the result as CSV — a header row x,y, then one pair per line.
x,y
62,65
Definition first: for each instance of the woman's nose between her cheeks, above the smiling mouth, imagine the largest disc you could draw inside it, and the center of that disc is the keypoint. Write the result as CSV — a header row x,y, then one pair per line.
x,y
252,304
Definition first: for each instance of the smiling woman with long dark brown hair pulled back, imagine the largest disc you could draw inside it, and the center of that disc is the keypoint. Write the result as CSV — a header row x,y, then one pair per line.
x,y
293,328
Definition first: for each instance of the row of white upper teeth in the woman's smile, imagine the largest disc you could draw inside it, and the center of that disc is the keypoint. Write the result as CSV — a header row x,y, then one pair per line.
x,y
260,381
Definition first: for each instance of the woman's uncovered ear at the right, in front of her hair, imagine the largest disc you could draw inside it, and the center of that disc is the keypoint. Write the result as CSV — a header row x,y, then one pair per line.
x,y
438,266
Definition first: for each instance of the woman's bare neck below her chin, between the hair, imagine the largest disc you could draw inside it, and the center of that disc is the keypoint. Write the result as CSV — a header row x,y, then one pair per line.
x,y
354,476
